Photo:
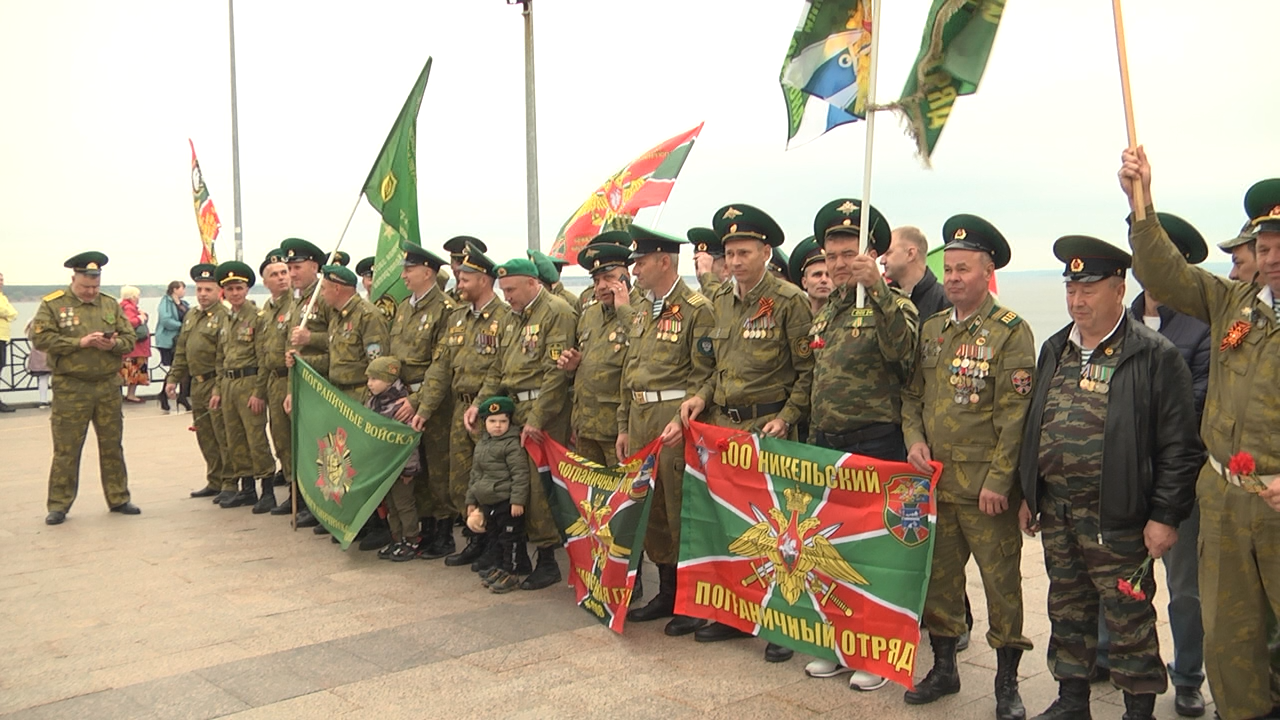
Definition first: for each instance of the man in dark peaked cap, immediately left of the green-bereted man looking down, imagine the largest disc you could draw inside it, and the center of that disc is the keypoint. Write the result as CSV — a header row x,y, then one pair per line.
x,y
459,367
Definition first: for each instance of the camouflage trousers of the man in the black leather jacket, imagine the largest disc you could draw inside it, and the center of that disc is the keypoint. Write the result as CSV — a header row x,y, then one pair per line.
x,y
1082,578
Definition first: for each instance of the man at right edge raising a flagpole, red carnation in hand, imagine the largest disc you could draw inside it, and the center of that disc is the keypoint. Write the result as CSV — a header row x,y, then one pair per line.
x,y
1240,559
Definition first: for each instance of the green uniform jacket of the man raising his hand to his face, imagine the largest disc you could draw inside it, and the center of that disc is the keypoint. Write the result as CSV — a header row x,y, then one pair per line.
x,y
602,336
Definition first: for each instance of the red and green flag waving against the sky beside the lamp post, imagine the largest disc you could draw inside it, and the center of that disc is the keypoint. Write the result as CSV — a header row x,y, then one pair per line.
x,y
644,183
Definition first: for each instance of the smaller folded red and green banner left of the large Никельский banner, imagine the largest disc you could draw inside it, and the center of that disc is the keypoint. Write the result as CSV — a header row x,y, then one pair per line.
x,y
604,514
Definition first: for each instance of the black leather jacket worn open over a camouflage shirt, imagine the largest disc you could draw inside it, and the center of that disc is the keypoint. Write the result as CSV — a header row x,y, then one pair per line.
x,y
1151,453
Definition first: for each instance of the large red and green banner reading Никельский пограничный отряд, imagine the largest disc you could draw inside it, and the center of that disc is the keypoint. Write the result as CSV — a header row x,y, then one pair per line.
x,y
816,550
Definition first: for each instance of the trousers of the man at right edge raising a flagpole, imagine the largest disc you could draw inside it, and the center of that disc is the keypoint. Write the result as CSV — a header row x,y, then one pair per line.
x,y
1240,580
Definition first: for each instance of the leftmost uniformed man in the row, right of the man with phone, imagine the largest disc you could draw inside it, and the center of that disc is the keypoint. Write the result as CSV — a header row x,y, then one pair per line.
x,y
196,358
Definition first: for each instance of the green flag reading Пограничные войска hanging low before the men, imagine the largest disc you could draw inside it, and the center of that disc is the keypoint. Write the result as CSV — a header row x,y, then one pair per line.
x,y
345,455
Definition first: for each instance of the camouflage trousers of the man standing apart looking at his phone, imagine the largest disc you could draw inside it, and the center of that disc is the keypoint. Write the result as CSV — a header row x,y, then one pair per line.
x,y
76,405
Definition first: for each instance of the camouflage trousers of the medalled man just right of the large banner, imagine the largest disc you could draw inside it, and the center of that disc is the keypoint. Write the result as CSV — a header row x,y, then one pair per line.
x,y
996,544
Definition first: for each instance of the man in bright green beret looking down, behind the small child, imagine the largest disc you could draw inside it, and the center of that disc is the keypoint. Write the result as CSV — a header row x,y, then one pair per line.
x,y
540,329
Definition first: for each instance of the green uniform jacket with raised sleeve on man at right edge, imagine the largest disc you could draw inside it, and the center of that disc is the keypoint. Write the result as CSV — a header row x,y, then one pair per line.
x,y
1242,409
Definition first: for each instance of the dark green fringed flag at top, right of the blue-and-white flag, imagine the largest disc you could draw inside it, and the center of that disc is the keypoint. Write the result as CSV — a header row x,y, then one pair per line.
x,y
958,39
